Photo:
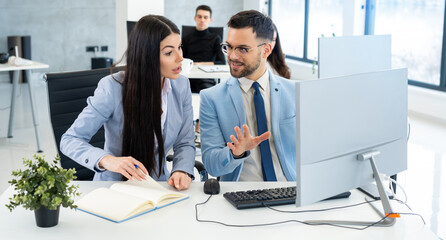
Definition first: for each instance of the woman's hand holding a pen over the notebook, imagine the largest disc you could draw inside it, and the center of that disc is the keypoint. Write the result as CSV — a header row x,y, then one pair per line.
x,y
125,166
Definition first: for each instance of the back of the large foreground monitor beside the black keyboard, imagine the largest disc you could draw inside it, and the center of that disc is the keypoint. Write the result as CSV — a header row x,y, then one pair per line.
x,y
340,118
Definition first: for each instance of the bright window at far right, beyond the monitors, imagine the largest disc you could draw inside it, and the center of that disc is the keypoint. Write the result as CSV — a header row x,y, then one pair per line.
x,y
417,35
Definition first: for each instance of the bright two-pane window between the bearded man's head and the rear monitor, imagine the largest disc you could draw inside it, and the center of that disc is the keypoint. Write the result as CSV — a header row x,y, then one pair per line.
x,y
302,32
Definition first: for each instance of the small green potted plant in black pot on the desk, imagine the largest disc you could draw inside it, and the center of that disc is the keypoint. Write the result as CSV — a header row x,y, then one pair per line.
x,y
43,187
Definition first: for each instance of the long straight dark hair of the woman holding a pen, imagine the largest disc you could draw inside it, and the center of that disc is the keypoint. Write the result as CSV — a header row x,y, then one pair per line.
x,y
141,92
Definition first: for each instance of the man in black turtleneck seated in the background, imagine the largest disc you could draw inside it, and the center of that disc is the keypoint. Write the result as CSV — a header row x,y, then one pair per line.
x,y
202,46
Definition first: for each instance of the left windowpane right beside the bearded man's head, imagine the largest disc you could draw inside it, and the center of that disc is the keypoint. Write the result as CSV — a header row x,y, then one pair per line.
x,y
288,15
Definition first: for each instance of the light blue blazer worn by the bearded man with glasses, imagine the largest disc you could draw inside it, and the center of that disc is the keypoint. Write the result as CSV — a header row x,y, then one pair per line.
x,y
222,108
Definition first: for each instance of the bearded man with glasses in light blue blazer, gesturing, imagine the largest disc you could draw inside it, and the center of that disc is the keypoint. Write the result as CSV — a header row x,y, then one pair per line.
x,y
254,99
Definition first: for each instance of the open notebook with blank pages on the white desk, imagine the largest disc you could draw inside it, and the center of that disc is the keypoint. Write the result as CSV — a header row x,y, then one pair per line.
x,y
126,200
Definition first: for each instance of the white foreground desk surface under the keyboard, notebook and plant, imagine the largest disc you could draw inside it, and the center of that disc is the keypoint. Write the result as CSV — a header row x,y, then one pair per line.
x,y
178,221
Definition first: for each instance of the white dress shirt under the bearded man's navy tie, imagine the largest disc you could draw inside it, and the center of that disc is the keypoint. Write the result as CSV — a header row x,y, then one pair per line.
x,y
252,166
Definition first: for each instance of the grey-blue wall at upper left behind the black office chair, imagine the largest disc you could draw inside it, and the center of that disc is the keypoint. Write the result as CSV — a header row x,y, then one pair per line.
x,y
60,30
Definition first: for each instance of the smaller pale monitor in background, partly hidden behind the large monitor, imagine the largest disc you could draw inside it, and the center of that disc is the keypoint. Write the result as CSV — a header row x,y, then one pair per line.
x,y
340,56
